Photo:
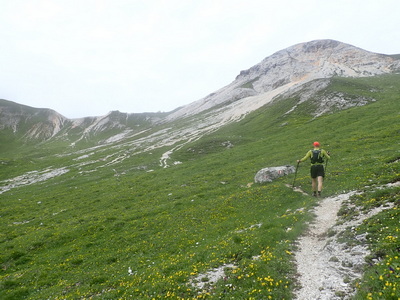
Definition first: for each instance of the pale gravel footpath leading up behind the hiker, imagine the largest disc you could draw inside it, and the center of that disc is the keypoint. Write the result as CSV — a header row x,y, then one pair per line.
x,y
326,267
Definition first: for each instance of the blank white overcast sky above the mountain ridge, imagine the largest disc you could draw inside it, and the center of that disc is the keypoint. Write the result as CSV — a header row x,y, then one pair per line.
x,y
88,57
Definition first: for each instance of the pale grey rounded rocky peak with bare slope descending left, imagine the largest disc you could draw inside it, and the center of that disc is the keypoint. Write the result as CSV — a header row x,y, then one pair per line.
x,y
290,68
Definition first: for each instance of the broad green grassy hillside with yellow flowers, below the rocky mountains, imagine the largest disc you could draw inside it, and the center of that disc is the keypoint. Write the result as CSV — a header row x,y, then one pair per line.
x,y
75,236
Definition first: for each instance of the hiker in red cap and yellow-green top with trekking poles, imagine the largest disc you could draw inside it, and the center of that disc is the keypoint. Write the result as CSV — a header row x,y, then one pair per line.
x,y
317,168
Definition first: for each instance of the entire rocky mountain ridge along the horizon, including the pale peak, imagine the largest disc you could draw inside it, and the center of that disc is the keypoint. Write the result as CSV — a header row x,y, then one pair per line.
x,y
305,67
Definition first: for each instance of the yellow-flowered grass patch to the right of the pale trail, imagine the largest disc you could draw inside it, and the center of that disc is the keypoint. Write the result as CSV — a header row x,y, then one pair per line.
x,y
381,279
